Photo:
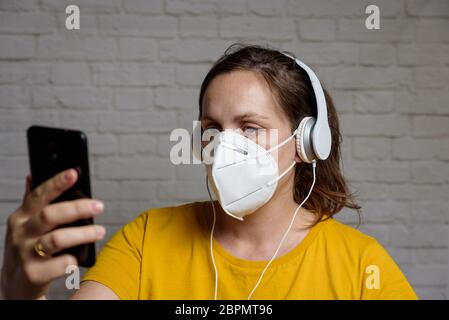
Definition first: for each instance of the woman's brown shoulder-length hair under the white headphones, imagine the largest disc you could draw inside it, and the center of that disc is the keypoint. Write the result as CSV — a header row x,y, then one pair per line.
x,y
293,91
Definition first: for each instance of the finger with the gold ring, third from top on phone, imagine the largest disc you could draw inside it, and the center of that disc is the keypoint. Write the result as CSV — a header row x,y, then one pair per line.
x,y
64,238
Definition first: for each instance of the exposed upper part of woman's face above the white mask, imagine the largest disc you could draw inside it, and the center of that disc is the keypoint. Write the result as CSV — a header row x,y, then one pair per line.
x,y
243,101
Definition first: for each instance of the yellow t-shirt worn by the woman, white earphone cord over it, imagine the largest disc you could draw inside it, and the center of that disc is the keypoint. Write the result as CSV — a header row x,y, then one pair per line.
x,y
164,254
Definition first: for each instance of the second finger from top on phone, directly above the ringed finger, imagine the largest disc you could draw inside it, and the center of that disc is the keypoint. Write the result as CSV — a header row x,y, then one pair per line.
x,y
60,213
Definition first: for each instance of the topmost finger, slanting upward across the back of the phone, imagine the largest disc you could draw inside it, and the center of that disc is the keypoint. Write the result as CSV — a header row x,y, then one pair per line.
x,y
49,190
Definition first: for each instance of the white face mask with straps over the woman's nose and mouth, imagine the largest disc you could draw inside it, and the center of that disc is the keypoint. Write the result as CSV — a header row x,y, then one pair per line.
x,y
243,175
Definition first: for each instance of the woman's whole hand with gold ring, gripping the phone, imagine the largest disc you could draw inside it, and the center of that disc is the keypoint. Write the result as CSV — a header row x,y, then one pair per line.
x,y
25,273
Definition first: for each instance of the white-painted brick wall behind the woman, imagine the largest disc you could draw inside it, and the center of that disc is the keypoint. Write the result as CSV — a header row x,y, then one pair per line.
x,y
132,73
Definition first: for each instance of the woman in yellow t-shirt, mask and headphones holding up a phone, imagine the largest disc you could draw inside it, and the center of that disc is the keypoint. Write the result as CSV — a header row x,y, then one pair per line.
x,y
269,235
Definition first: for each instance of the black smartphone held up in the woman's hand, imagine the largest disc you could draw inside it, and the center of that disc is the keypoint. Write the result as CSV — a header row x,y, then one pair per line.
x,y
52,150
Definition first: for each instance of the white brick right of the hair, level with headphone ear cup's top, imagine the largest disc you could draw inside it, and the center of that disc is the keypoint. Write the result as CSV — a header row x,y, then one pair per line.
x,y
374,125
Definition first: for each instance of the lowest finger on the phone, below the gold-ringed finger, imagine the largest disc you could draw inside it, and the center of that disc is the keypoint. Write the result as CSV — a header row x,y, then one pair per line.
x,y
42,272
